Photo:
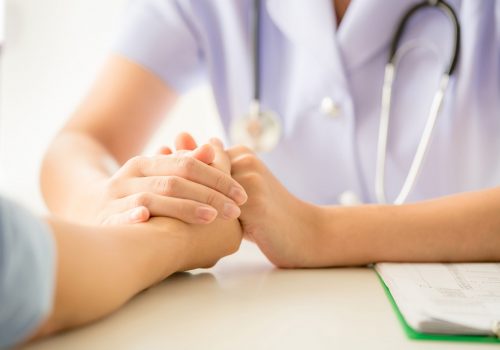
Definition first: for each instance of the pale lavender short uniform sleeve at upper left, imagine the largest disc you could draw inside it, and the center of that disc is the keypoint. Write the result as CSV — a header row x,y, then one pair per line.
x,y
160,36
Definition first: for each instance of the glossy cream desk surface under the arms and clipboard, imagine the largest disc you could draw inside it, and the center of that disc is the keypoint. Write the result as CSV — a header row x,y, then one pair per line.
x,y
244,303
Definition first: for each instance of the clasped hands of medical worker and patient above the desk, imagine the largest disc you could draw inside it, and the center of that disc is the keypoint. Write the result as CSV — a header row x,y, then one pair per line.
x,y
216,196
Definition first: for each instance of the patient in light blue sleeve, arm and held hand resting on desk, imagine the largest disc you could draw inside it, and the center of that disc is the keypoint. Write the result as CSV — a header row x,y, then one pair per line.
x,y
55,275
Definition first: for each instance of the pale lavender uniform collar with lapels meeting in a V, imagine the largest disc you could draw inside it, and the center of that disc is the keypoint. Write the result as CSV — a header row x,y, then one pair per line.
x,y
366,28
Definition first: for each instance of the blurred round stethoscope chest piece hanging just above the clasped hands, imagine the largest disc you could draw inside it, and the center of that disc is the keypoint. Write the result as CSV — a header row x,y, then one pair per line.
x,y
259,130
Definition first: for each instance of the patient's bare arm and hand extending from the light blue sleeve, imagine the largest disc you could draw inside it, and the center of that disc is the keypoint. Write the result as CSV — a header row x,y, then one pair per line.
x,y
100,268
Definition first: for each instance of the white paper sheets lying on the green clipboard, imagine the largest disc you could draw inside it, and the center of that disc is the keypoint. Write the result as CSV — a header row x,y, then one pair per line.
x,y
446,298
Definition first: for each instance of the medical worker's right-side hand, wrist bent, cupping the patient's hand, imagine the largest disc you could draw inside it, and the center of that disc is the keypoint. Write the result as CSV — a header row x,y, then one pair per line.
x,y
283,226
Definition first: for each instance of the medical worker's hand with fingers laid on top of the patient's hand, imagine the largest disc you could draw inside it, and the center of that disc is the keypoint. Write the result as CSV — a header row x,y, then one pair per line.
x,y
192,186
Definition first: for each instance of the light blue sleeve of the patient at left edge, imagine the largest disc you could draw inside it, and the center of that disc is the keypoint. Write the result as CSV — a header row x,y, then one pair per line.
x,y
27,273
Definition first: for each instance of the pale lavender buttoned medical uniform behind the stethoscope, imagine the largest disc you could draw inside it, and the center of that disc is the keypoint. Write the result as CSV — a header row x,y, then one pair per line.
x,y
307,59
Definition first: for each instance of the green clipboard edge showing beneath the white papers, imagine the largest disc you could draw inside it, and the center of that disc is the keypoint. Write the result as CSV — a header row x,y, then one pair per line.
x,y
413,334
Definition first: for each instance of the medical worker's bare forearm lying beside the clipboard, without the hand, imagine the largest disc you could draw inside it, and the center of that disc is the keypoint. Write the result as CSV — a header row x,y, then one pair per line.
x,y
464,227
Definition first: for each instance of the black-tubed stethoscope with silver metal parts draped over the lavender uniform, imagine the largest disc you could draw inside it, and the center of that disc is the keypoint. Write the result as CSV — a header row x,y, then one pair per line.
x,y
260,129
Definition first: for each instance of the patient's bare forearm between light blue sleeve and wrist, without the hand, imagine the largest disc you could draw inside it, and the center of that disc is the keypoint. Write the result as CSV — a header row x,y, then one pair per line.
x,y
99,269
